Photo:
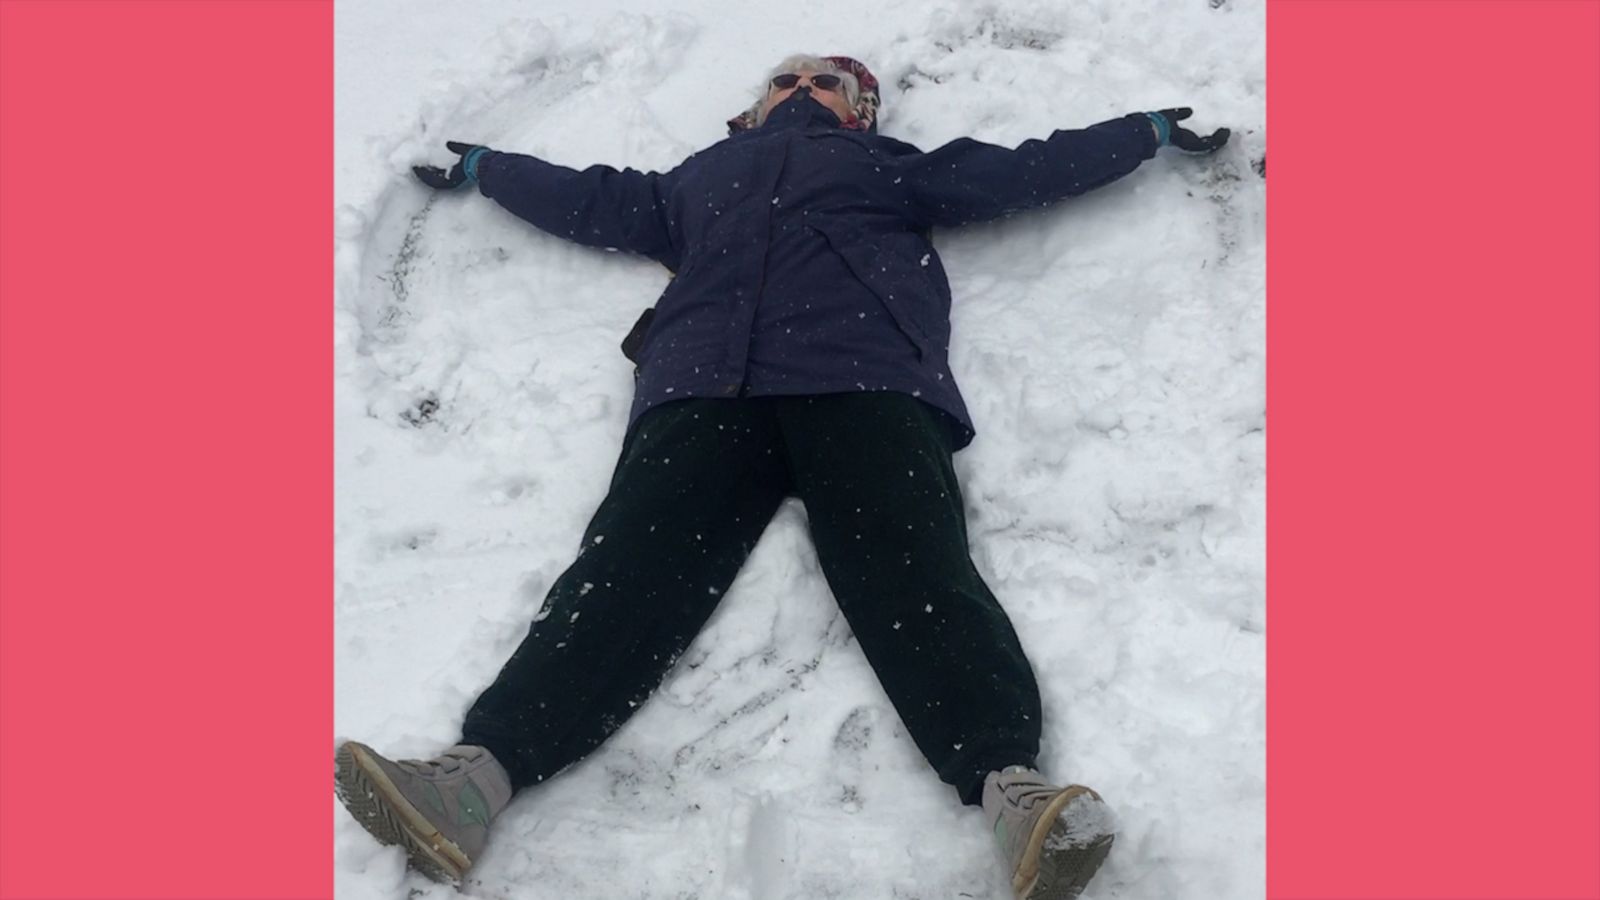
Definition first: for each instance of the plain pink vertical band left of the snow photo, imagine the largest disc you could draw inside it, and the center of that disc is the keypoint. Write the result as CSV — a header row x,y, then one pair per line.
x,y
166,449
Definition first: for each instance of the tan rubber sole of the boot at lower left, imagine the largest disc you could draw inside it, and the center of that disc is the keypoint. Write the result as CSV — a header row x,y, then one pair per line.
x,y
385,813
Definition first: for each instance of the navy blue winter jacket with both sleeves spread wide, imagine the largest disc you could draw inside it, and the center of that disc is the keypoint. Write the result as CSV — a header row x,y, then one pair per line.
x,y
802,251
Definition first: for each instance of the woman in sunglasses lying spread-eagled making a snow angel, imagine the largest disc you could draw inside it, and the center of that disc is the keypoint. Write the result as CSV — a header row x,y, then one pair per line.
x,y
801,350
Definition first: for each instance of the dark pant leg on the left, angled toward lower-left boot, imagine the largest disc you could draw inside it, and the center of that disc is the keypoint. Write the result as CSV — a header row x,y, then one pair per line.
x,y
695,488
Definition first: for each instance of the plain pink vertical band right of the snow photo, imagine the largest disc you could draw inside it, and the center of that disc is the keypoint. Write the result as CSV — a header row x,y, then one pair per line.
x,y
1434,451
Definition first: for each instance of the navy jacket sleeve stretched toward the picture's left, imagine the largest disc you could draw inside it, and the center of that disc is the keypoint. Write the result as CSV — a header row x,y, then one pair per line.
x,y
596,207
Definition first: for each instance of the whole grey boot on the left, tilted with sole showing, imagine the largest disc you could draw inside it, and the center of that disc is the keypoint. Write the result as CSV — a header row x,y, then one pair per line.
x,y
438,810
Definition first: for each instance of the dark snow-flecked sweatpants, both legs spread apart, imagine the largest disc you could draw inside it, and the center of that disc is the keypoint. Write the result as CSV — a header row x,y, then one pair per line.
x,y
695,488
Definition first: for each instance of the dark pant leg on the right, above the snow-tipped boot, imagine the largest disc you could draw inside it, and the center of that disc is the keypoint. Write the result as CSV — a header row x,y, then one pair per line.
x,y
878,480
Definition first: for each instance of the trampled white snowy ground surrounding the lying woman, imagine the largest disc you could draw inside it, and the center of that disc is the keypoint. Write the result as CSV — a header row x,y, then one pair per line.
x,y
1111,352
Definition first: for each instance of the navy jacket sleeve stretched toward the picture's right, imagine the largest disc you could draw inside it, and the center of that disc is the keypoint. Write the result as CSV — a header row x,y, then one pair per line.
x,y
970,182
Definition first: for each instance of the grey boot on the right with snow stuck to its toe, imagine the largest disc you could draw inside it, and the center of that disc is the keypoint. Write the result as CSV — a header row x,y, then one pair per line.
x,y
1054,840
